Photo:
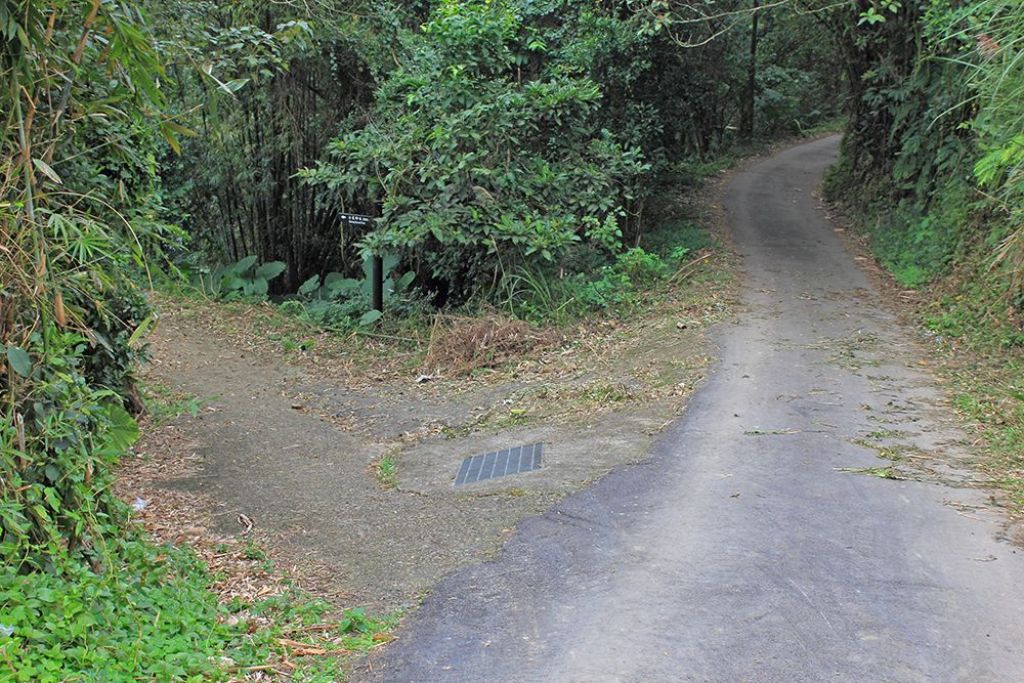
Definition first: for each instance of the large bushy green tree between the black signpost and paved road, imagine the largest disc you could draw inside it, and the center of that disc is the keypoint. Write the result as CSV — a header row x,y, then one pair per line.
x,y
485,150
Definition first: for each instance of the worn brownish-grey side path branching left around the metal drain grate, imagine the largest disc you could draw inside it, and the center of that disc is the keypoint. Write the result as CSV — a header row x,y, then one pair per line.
x,y
292,447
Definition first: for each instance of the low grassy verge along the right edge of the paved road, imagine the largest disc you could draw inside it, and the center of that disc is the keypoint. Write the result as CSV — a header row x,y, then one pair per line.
x,y
969,321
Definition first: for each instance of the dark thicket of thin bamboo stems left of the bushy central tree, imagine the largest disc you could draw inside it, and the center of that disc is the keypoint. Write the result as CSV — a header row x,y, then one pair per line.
x,y
263,88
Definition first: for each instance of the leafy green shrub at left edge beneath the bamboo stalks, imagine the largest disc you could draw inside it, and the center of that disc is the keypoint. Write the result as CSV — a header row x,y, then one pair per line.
x,y
57,454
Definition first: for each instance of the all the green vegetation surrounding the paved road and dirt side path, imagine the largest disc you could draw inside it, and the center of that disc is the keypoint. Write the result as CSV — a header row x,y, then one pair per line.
x,y
525,166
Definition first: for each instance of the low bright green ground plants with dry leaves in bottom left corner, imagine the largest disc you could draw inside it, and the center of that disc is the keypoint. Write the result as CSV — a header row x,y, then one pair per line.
x,y
152,616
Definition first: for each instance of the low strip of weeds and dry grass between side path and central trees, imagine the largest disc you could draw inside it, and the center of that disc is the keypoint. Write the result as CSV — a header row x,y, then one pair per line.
x,y
529,310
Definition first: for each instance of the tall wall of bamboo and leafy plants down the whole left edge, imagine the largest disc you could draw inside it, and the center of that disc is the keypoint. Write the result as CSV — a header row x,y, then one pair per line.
x,y
82,130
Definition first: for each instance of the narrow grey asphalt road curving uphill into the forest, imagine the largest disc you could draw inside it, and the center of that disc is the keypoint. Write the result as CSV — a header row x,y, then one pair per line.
x,y
745,549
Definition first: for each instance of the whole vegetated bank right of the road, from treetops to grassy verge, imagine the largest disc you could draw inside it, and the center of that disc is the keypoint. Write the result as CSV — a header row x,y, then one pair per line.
x,y
931,170
